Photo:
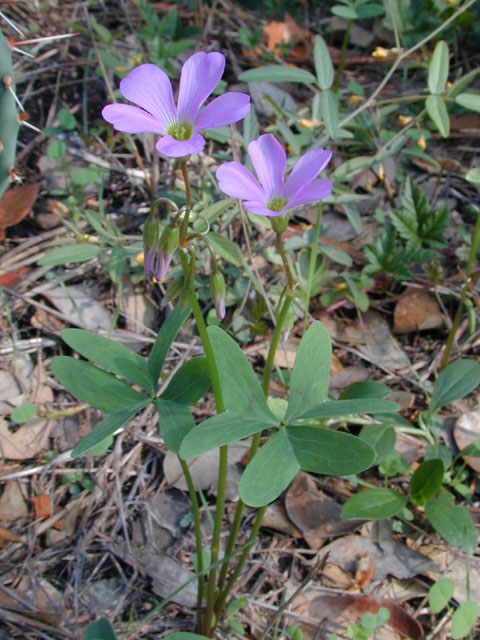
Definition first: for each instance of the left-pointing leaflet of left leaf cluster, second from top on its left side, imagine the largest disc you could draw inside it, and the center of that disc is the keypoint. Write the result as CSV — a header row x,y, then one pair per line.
x,y
97,387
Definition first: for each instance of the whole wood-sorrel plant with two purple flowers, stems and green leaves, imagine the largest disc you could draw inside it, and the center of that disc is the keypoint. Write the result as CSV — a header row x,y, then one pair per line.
x,y
298,440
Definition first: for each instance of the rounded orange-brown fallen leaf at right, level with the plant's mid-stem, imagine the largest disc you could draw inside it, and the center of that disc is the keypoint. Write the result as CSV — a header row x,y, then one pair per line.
x,y
416,311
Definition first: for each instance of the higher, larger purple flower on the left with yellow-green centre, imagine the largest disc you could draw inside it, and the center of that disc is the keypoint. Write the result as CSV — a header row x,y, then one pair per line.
x,y
149,87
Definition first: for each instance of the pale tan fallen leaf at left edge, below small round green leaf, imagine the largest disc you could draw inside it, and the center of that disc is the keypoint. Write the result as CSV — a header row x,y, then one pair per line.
x,y
27,441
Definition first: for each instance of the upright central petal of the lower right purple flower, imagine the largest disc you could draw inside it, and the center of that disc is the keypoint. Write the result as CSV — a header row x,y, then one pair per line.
x,y
269,160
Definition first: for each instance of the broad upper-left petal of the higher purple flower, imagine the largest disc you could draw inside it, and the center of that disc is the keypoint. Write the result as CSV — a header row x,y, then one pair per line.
x,y
150,88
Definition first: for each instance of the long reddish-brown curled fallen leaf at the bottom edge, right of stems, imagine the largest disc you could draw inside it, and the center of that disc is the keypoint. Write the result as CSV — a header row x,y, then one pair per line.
x,y
347,608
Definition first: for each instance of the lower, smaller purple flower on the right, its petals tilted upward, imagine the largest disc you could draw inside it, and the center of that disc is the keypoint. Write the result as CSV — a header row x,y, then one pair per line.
x,y
271,196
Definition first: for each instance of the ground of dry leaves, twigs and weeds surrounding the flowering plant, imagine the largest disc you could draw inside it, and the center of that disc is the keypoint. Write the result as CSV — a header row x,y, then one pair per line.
x,y
110,533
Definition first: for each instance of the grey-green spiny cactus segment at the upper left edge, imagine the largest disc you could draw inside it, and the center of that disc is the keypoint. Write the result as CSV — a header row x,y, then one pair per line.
x,y
9,123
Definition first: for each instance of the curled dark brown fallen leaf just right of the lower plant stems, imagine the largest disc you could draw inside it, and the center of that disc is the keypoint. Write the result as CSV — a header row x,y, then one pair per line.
x,y
315,513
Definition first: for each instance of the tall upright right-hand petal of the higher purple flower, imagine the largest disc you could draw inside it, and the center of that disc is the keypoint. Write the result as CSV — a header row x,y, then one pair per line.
x,y
200,75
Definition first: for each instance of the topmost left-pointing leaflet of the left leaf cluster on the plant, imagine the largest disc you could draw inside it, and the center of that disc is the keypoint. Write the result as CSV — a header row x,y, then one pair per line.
x,y
110,355
